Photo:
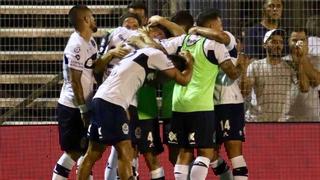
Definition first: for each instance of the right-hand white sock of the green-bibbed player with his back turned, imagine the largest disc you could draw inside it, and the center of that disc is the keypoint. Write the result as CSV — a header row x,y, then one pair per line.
x,y
199,170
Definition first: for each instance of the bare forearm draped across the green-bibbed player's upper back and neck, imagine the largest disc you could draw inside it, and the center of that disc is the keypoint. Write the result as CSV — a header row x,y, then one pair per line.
x,y
212,34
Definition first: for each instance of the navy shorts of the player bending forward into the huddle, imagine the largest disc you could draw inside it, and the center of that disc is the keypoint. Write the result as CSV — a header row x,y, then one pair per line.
x,y
110,124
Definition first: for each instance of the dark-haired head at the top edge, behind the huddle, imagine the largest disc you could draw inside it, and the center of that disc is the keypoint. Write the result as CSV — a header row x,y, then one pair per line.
x,y
139,8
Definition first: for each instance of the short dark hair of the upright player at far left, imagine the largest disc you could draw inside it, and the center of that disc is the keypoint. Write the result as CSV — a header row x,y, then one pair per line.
x,y
75,14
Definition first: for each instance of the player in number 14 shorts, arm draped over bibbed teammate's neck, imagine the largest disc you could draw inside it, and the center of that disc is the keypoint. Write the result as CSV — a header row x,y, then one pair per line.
x,y
229,108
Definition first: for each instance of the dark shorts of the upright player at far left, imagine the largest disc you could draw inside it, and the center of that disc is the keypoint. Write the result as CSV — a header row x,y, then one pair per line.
x,y
72,133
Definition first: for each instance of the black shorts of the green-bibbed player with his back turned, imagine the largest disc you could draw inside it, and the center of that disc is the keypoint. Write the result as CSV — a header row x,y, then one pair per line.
x,y
193,129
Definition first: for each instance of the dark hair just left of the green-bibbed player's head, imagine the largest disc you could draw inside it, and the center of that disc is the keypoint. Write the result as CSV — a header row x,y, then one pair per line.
x,y
184,18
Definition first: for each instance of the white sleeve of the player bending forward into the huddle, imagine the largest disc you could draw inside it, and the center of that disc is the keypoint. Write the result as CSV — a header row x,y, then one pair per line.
x,y
160,61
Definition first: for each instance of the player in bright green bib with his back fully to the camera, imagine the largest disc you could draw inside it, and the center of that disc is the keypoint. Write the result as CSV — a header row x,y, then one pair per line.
x,y
193,124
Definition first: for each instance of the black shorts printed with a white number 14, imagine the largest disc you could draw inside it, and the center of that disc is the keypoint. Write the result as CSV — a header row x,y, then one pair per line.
x,y
230,122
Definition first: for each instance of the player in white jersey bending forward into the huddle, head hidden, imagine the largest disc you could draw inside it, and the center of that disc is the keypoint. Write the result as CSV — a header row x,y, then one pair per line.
x,y
110,124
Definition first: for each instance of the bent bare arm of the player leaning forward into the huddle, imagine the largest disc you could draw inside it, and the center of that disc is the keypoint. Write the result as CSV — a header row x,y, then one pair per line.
x,y
184,77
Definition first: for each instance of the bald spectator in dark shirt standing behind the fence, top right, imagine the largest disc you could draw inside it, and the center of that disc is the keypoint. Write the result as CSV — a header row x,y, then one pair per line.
x,y
253,36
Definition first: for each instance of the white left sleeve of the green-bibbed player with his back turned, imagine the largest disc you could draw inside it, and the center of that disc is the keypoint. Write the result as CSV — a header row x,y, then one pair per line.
x,y
173,45
